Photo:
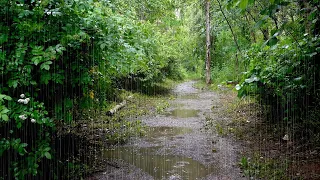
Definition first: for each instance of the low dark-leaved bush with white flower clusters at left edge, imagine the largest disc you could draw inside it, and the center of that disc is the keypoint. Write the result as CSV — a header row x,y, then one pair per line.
x,y
27,116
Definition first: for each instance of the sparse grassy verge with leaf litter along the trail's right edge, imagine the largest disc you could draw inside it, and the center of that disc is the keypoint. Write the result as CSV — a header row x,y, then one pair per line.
x,y
241,119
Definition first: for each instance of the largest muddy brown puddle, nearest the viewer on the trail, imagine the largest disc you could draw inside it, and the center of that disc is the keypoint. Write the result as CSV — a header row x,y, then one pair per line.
x,y
158,166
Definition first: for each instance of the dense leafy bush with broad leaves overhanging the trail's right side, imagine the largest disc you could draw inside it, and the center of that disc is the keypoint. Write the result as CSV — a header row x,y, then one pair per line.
x,y
288,80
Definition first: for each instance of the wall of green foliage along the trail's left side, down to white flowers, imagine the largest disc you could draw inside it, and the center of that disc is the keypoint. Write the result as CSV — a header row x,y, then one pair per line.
x,y
71,55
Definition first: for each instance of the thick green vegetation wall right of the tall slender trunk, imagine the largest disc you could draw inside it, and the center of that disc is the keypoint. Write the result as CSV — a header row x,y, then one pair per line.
x,y
273,55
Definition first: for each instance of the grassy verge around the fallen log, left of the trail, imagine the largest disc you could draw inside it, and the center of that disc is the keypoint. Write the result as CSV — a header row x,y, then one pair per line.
x,y
97,130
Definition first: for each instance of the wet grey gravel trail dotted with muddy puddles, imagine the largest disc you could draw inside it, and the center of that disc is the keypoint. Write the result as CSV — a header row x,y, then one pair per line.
x,y
176,146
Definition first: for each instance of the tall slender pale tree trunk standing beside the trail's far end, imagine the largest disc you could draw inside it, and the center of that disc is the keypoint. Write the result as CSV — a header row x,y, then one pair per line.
x,y
208,43
